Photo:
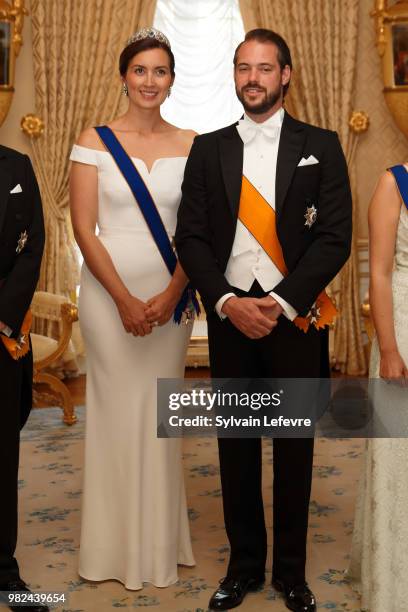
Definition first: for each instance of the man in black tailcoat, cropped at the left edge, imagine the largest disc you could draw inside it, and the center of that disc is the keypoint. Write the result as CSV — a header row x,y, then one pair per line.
x,y
21,248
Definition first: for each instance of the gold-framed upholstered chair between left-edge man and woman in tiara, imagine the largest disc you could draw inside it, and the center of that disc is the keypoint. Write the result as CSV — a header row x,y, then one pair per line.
x,y
47,351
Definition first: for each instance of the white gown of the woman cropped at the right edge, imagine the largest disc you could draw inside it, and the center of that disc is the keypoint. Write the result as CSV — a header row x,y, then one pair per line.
x,y
379,559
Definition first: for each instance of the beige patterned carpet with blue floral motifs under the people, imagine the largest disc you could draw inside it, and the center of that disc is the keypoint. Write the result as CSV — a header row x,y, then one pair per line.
x,y
50,495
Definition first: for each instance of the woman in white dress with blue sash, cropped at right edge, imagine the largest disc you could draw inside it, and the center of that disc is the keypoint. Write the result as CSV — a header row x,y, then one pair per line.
x,y
379,559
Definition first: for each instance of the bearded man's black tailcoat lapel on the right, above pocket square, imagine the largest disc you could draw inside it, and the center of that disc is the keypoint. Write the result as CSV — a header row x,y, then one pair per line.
x,y
290,150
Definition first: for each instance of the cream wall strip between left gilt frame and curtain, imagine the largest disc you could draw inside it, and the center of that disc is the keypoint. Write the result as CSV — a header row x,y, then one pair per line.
x,y
23,99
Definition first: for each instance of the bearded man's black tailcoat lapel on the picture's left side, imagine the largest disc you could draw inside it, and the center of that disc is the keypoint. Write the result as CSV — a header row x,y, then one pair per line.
x,y
232,159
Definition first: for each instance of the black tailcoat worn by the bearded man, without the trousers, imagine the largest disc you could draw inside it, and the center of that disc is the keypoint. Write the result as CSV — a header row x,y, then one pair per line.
x,y
208,212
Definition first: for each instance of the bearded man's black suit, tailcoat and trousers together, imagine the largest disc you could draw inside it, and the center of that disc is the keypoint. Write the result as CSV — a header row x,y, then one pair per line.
x,y
205,233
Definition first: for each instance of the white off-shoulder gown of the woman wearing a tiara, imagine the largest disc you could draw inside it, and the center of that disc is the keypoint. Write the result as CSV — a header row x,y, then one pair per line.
x,y
134,515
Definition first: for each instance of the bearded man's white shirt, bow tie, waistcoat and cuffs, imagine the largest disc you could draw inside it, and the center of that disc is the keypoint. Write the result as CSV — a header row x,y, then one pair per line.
x,y
248,261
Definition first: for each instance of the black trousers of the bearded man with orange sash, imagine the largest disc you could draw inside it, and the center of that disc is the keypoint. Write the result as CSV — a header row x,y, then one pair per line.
x,y
286,352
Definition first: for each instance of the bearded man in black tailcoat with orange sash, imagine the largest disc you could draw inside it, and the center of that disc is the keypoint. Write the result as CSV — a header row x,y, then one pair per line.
x,y
264,225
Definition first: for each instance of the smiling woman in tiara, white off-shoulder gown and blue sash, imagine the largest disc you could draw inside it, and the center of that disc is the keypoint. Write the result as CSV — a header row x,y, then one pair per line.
x,y
134,516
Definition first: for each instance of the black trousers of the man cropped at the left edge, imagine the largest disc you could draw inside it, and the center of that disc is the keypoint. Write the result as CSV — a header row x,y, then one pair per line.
x,y
15,401
